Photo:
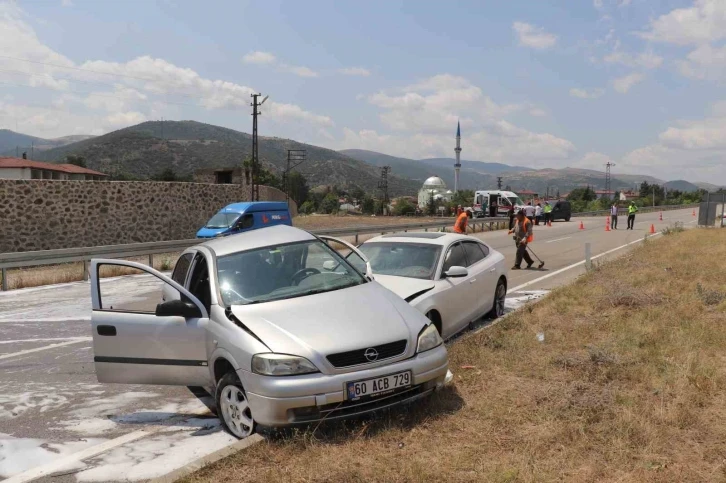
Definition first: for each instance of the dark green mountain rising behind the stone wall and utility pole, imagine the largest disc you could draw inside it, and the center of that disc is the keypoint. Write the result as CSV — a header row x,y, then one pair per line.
x,y
146,149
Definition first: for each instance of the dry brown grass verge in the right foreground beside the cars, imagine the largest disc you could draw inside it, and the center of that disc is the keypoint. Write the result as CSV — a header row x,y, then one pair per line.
x,y
628,385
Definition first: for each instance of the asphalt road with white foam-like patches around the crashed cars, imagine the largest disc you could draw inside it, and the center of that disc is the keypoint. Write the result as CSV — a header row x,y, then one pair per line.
x,y
52,407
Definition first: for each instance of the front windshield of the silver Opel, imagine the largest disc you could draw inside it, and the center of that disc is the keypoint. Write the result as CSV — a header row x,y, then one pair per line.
x,y
283,272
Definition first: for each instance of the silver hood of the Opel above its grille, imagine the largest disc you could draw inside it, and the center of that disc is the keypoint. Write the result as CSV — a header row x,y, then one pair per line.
x,y
317,325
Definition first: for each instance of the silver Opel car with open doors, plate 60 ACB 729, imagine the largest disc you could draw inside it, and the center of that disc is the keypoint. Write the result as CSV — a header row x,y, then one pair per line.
x,y
280,328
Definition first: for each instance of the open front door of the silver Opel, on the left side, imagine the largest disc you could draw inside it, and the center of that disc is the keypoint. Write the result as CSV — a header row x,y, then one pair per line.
x,y
136,339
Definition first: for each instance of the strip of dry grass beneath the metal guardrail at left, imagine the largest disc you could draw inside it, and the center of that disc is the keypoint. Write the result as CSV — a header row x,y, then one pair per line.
x,y
73,272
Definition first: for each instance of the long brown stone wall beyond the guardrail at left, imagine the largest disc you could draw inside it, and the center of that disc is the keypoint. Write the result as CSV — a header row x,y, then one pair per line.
x,y
46,215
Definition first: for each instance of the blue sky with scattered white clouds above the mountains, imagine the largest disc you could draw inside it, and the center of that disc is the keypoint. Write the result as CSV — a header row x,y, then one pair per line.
x,y
535,83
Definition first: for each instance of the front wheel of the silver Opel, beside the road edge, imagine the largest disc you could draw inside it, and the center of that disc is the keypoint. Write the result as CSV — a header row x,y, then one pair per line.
x,y
233,408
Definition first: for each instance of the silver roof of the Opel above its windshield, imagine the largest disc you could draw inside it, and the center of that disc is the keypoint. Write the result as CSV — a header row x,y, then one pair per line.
x,y
261,237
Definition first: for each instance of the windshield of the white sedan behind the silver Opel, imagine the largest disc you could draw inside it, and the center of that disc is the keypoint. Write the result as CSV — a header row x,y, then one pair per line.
x,y
412,260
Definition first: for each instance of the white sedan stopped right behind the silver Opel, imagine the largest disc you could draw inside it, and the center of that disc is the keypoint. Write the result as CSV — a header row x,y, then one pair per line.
x,y
453,279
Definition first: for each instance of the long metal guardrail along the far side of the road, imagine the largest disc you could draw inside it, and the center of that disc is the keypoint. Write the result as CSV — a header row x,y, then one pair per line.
x,y
85,254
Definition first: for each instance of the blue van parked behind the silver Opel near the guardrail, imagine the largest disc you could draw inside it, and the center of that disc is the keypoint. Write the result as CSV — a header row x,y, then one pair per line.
x,y
241,217
